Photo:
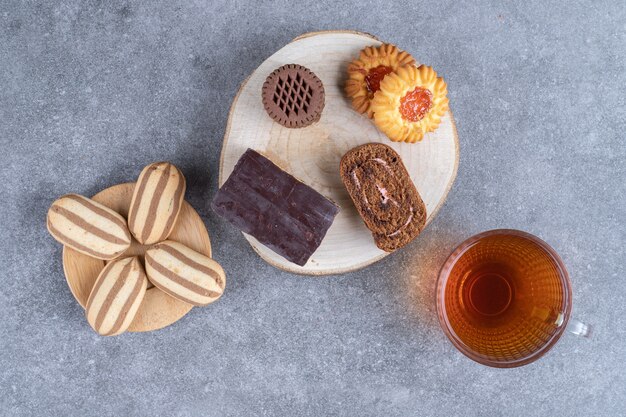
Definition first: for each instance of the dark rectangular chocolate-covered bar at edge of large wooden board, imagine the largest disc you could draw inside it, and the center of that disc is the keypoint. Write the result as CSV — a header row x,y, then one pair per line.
x,y
281,212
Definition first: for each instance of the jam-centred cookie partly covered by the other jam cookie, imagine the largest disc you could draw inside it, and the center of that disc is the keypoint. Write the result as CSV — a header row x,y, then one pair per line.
x,y
367,72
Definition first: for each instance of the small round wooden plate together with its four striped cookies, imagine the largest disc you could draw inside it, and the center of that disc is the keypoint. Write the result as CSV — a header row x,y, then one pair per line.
x,y
116,295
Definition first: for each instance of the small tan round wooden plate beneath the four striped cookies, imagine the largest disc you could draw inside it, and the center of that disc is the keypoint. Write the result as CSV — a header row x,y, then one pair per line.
x,y
157,309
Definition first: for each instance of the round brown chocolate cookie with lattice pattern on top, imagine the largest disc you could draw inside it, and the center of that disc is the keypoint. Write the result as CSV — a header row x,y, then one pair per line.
x,y
293,96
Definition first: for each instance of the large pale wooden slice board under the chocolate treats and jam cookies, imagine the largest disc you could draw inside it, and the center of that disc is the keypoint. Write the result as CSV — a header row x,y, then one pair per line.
x,y
312,154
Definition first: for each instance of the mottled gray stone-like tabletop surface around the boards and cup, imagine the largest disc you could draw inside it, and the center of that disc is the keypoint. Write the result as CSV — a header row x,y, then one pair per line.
x,y
92,91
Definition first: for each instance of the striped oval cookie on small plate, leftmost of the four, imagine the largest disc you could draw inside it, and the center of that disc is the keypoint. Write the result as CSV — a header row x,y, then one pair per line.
x,y
88,227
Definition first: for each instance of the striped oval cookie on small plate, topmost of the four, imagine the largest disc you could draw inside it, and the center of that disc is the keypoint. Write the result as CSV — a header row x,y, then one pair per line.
x,y
156,202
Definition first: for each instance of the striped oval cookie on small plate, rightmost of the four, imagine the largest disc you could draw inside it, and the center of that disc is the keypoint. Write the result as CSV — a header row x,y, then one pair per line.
x,y
184,273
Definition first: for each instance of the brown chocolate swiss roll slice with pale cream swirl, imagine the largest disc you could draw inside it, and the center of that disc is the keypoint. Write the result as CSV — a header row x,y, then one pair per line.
x,y
383,194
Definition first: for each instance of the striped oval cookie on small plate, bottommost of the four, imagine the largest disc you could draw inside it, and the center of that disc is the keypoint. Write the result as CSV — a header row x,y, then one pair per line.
x,y
116,296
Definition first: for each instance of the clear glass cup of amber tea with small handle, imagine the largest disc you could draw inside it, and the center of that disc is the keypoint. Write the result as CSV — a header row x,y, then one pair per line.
x,y
504,298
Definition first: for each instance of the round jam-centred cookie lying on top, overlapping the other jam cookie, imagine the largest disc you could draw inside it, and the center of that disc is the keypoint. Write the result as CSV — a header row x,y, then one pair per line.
x,y
410,103
